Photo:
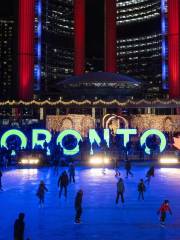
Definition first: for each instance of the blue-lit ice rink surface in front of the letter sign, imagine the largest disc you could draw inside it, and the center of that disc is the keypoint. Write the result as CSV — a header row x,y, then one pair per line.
x,y
102,219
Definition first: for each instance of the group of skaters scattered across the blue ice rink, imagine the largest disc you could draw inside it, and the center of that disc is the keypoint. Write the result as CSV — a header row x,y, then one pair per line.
x,y
67,177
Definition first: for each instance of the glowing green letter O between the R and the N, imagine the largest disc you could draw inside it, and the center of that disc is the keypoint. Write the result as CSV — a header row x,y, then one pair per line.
x,y
65,133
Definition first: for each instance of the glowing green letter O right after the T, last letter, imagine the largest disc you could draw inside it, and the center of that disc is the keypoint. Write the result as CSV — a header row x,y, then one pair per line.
x,y
147,133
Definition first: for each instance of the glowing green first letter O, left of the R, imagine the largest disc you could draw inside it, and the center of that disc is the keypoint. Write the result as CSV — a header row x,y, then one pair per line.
x,y
12,132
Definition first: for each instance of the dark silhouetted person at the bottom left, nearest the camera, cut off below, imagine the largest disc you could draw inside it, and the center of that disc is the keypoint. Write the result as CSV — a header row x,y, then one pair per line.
x,y
19,227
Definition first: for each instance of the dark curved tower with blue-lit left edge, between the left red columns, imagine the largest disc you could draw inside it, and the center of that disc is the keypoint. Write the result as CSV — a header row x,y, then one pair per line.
x,y
54,36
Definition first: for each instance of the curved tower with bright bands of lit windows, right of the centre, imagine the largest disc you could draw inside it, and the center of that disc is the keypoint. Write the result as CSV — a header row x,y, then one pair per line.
x,y
142,43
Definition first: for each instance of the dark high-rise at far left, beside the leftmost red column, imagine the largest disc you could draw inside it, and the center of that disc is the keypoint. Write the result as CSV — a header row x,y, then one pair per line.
x,y
7,51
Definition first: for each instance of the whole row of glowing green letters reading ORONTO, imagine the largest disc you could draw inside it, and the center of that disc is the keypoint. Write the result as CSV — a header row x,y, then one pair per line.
x,y
93,138
